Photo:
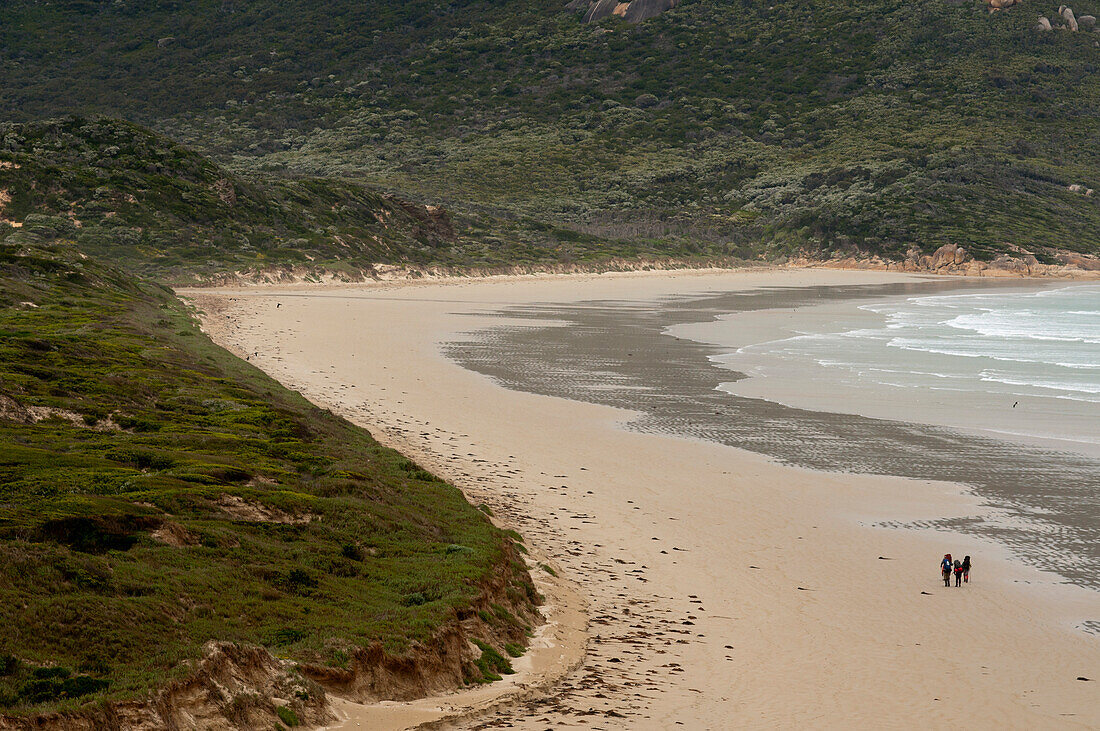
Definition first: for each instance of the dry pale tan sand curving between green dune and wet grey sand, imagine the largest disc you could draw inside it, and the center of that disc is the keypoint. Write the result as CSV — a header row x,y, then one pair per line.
x,y
724,591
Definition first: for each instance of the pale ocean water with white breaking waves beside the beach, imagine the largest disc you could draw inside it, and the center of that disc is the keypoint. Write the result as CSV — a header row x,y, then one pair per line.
x,y
1020,364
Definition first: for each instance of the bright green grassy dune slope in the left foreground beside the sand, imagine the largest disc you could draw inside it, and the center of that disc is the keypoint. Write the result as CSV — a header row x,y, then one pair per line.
x,y
168,427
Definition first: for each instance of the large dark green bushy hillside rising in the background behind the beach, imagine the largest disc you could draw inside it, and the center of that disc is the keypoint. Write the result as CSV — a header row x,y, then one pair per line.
x,y
829,125
